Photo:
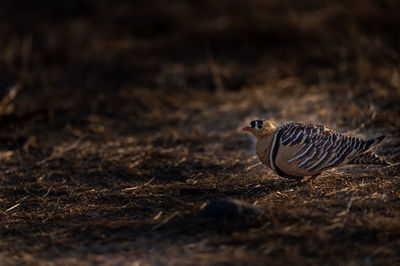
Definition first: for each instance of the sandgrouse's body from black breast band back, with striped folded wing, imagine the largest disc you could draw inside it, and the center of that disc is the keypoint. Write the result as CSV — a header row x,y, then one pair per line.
x,y
299,149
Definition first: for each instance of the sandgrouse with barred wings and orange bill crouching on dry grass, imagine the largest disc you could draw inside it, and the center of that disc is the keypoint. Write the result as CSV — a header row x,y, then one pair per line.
x,y
296,150
